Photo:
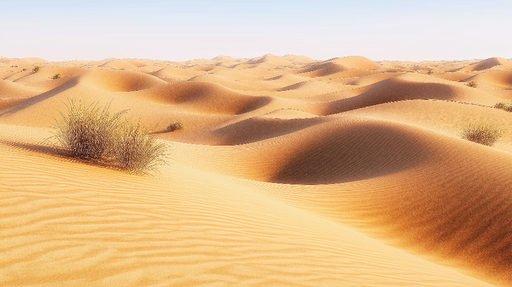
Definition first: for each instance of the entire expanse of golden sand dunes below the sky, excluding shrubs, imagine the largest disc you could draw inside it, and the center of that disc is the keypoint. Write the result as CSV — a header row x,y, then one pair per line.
x,y
289,172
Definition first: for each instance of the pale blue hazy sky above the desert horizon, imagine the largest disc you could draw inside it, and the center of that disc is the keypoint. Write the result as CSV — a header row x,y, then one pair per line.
x,y
58,30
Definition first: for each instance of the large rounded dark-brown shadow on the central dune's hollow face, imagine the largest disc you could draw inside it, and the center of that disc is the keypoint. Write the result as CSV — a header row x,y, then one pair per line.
x,y
353,153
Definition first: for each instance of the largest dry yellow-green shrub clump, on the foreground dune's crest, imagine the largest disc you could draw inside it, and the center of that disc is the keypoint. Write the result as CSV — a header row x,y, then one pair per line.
x,y
94,134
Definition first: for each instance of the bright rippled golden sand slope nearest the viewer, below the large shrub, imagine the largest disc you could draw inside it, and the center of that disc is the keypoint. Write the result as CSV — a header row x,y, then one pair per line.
x,y
122,230
